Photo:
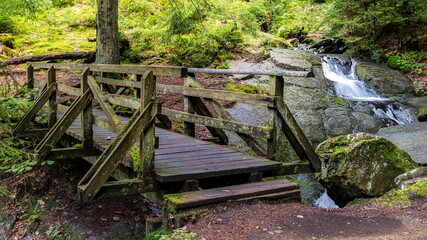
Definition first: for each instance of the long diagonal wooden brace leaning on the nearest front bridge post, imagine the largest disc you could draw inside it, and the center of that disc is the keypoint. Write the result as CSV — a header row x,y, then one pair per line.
x,y
98,174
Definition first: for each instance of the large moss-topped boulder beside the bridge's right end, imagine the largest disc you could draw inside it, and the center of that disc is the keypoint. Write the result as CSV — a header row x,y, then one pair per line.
x,y
360,165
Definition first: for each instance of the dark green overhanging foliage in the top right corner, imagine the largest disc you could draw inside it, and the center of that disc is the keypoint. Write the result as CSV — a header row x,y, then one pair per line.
x,y
364,24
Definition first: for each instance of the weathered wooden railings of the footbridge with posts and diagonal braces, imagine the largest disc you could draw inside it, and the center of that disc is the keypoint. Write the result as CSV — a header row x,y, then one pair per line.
x,y
200,107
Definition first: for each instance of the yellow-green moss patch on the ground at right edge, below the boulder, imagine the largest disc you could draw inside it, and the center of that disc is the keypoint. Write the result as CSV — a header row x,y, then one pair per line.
x,y
405,196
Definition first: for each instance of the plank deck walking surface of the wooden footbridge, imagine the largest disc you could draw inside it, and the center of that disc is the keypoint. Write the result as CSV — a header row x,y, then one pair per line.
x,y
180,157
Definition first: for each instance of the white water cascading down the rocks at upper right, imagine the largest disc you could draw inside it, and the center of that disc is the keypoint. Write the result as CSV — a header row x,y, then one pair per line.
x,y
348,86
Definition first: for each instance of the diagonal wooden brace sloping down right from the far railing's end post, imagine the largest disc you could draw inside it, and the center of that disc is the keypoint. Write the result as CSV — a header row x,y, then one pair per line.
x,y
297,138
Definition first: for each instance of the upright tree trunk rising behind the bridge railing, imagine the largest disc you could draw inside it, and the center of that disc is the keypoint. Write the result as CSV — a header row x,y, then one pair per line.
x,y
107,32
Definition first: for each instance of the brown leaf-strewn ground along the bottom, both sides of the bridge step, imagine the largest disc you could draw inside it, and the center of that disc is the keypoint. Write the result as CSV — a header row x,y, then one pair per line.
x,y
43,204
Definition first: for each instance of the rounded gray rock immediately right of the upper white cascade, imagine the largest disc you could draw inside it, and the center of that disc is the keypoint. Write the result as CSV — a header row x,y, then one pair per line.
x,y
384,79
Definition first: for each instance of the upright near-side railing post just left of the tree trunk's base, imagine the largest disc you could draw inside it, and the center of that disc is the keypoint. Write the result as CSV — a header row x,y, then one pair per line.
x,y
87,119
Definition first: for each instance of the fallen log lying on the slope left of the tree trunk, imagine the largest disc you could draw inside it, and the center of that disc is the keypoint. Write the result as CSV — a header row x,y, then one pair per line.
x,y
89,55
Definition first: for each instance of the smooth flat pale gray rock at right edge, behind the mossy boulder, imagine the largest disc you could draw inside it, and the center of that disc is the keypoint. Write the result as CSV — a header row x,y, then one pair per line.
x,y
411,137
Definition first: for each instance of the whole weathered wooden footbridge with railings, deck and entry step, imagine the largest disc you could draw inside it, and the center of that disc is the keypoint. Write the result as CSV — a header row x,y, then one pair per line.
x,y
165,161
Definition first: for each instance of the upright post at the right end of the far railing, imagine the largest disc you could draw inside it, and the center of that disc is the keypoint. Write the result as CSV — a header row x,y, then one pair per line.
x,y
273,144
